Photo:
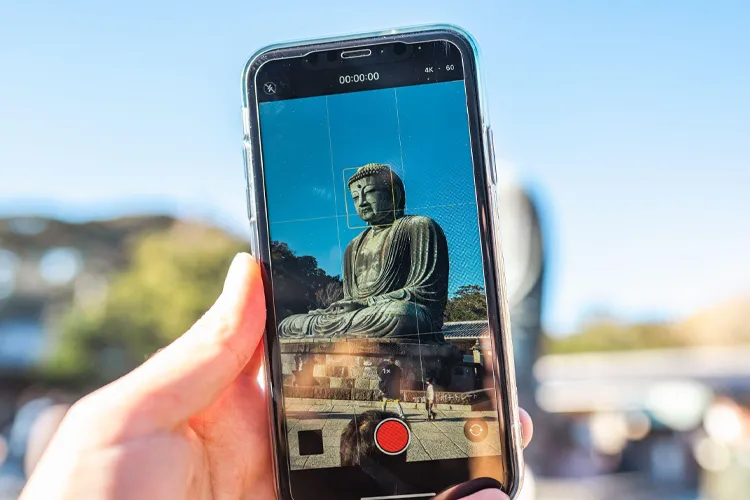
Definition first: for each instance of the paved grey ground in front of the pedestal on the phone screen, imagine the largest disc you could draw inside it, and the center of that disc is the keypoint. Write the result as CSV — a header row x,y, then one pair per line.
x,y
431,440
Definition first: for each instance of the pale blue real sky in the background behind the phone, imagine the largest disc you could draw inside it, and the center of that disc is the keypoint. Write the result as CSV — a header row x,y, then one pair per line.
x,y
631,120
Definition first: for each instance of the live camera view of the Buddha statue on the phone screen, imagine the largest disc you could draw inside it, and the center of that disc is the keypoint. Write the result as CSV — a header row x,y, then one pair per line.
x,y
378,277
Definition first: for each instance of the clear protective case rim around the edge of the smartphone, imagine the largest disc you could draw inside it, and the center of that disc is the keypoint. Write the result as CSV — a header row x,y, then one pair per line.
x,y
508,401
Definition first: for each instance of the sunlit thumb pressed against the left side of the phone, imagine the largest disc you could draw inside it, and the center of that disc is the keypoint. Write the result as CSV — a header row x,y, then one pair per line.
x,y
190,374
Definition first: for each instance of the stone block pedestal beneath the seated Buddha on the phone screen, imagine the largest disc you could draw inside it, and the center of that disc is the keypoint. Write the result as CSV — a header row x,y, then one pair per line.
x,y
347,368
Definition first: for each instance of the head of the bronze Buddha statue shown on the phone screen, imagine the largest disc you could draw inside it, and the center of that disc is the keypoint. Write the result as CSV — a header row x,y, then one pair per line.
x,y
378,194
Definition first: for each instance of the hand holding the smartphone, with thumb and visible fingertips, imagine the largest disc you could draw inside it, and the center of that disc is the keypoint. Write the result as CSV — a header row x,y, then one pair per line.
x,y
190,423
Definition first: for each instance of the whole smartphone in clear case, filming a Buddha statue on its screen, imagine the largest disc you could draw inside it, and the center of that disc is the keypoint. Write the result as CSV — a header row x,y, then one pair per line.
x,y
371,196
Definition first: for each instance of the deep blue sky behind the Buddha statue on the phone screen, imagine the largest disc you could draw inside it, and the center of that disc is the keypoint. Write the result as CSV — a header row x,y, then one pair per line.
x,y
312,145
